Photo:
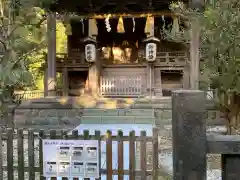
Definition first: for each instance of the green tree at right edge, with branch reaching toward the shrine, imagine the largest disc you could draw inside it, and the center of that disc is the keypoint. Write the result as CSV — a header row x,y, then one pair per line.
x,y
220,52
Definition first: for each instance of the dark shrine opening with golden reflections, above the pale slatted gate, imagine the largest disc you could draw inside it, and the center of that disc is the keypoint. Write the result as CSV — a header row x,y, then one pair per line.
x,y
121,45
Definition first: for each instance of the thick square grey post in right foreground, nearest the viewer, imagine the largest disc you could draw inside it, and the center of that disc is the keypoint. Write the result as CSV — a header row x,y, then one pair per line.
x,y
189,135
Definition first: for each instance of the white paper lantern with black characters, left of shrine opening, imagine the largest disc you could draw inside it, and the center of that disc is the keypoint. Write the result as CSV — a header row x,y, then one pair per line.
x,y
90,49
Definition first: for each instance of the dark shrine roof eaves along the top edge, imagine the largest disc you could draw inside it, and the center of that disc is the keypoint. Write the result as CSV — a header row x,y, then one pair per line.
x,y
86,7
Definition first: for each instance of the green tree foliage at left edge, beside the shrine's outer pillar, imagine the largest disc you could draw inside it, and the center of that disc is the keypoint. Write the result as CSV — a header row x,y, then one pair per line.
x,y
22,37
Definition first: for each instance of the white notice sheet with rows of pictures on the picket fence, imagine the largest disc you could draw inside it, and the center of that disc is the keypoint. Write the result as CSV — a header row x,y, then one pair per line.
x,y
70,158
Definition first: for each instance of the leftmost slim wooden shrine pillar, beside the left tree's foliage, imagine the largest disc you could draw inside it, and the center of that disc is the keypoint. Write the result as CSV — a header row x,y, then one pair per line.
x,y
51,58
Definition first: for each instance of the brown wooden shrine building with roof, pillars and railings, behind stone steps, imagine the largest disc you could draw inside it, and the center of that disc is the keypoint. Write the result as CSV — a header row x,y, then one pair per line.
x,y
121,69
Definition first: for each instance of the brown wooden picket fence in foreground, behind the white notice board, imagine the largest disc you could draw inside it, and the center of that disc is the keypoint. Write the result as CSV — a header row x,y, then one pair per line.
x,y
20,136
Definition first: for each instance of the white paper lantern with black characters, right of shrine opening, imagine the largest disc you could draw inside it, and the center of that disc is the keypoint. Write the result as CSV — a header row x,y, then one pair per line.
x,y
151,48
